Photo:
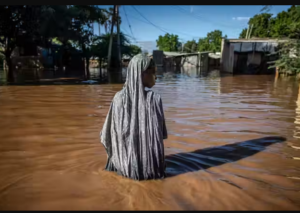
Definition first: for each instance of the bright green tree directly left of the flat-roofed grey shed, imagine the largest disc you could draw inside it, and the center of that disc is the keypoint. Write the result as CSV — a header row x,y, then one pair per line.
x,y
212,42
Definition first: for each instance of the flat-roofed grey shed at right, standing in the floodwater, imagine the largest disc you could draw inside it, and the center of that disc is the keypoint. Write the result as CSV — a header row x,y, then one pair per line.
x,y
248,56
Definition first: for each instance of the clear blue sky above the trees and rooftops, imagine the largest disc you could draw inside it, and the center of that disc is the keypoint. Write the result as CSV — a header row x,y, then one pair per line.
x,y
143,24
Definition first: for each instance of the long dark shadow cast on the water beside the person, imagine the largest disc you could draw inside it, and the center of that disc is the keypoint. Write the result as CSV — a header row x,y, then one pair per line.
x,y
197,160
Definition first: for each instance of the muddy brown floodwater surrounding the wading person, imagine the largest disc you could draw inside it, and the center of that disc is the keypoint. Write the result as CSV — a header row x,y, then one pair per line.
x,y
233,145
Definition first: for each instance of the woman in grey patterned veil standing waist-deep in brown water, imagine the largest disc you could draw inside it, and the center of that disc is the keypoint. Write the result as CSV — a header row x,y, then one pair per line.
x,y
134,128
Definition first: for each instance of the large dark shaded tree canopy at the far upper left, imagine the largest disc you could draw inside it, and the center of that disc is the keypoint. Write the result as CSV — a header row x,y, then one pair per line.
x,y
40,24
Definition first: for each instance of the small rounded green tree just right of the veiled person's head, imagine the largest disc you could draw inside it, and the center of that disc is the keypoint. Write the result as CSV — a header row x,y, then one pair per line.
x,y
168,42
